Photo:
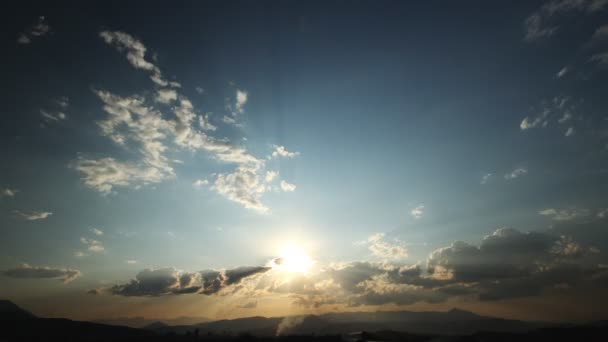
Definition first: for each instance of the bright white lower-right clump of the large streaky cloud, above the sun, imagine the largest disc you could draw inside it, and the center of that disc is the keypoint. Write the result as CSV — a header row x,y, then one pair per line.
x,y
243,186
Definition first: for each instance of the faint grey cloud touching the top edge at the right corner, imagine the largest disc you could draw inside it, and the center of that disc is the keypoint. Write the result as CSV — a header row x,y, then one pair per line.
x,y
543,22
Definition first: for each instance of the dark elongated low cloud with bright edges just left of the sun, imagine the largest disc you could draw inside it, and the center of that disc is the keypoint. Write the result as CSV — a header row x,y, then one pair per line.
x,y
165,281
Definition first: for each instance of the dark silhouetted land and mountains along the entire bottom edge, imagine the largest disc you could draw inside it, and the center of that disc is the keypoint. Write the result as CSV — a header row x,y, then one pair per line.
x,y
19,325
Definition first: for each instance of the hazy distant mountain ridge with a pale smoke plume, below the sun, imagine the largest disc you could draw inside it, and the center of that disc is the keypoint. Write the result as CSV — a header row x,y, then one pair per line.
x,y
450,322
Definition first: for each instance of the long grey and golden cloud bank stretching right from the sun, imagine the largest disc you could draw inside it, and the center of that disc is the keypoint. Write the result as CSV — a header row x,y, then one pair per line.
x,y
507,264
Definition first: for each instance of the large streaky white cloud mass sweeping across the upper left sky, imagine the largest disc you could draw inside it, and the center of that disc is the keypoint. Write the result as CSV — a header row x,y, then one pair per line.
x,y
133,123
